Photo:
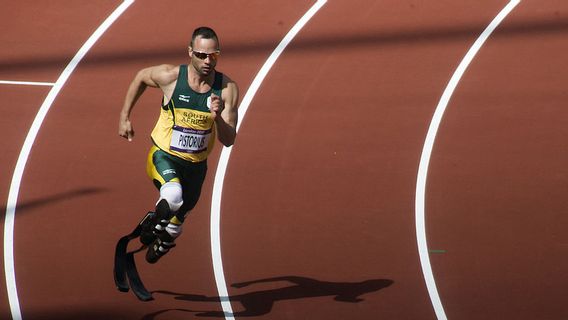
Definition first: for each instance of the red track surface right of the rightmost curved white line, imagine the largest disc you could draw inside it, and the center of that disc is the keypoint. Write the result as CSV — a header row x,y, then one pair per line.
x,y
497,193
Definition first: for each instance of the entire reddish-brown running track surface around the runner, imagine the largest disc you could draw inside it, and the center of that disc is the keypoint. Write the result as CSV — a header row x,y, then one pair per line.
x,y
319,193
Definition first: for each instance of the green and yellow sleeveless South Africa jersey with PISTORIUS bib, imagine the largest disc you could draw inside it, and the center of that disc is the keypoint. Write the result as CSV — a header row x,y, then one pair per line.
x,y
185,127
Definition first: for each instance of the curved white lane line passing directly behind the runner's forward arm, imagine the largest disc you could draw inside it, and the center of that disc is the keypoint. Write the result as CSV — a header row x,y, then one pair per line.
x,y
226,152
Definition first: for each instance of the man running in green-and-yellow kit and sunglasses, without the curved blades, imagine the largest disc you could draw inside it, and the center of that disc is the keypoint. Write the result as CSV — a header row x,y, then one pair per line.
x,y
199,105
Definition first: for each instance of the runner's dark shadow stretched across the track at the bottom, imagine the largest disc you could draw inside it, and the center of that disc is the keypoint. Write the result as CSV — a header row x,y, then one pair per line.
x,y
258,303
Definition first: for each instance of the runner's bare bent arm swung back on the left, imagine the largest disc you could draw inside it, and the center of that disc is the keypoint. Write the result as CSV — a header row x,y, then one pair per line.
x,y
162,76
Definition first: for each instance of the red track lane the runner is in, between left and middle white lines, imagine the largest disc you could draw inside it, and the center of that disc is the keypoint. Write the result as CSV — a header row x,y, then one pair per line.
x,y
81,177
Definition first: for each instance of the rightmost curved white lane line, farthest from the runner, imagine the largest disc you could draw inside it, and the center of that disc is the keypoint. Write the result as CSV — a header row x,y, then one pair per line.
x,y
427,152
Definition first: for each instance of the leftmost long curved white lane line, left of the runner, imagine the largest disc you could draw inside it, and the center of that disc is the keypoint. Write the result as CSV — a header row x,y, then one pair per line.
x,y
9,268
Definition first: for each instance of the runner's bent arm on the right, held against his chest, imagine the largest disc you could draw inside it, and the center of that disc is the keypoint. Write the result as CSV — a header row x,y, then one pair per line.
x,y
226,120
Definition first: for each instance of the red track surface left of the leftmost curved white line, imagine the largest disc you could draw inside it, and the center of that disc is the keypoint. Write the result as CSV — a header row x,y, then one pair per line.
x,y
26,46
